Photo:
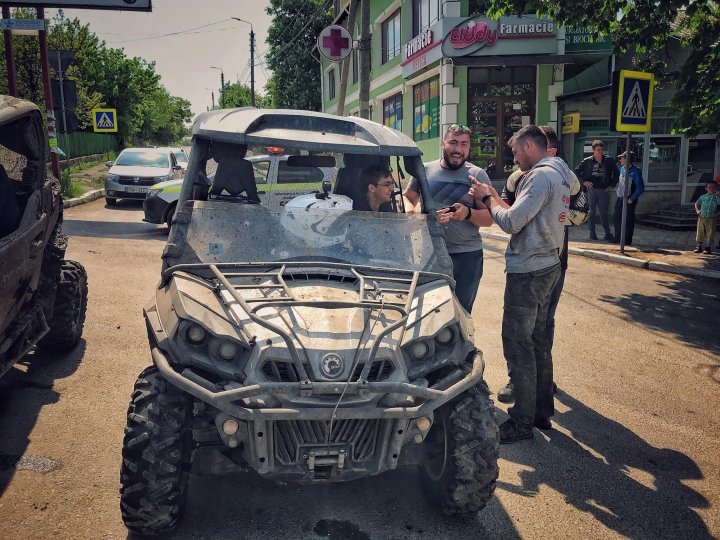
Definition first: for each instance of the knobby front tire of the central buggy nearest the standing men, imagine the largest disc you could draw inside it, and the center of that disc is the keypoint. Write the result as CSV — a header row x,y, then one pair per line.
x,y
462,469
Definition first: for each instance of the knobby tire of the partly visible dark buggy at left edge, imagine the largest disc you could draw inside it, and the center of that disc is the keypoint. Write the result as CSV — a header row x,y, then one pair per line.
x,y
70,308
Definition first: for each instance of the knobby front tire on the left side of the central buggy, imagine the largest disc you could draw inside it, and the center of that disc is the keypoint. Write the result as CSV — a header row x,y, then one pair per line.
x,y
157,454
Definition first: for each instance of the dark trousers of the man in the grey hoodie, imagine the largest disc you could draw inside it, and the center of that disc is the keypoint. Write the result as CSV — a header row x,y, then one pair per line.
x,y
526,342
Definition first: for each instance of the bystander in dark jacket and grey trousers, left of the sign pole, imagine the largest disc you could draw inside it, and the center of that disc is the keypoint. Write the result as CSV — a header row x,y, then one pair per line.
x,y
600,175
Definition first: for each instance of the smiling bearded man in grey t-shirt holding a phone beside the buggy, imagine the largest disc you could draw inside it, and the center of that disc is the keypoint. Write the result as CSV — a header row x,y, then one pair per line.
x,y
449,180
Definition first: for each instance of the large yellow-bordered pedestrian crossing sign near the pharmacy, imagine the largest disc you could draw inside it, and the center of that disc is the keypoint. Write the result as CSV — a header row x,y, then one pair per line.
x,y
631,107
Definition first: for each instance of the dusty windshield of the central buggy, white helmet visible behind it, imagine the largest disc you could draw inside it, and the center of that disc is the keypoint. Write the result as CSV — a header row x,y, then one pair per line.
x,y
308,208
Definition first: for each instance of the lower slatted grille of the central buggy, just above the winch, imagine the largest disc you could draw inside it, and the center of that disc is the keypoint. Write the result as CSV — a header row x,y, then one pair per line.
x,y
290,435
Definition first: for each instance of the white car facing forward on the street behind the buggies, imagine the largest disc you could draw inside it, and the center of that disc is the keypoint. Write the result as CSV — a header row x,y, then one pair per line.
x,y
136,170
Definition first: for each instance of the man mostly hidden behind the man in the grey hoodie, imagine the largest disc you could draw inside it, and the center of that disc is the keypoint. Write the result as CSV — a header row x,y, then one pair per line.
x,y
506,394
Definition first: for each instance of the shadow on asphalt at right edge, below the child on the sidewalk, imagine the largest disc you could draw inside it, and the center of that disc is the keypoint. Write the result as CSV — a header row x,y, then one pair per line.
x,y
687,310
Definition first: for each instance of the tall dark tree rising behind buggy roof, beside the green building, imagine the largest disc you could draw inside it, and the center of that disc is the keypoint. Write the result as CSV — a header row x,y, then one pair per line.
x,y
291,39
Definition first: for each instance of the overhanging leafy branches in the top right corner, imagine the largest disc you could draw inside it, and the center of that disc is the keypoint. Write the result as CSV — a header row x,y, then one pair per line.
x,y
644,28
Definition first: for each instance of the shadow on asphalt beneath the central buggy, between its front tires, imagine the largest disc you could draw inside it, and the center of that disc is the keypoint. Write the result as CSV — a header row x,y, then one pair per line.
x,y
391,505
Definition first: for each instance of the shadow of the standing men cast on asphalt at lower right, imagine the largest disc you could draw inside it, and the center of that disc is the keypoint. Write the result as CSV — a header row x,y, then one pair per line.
x,y
606,470
